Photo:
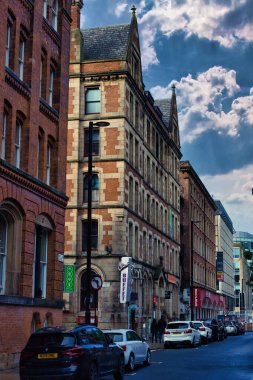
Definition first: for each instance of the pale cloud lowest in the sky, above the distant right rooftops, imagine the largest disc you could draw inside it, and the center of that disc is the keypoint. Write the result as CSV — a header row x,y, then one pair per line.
x,y
235,193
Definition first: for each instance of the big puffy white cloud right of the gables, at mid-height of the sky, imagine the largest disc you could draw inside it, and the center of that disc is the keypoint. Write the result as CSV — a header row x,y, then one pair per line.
x,y
200,103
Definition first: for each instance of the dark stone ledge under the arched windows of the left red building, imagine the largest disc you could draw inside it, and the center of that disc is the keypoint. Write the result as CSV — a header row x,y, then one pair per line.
x,y
27,301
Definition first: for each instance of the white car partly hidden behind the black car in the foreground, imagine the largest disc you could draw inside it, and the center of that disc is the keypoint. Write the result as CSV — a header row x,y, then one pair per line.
x,y
136,350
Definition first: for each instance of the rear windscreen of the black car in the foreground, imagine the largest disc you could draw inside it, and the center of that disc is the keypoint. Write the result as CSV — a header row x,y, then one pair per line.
x,y
52,339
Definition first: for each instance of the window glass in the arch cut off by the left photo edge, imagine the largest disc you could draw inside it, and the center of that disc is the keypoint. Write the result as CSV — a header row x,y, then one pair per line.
x,y
3,252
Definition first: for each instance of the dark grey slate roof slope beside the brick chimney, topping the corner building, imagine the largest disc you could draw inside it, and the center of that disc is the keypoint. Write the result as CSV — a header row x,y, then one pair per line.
x,y
110,42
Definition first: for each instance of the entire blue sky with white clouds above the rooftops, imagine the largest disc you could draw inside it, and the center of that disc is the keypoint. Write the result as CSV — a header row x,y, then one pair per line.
x,y
204,47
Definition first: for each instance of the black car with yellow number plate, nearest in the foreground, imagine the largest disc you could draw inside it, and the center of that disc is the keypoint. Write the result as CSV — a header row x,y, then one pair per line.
x,y
79,353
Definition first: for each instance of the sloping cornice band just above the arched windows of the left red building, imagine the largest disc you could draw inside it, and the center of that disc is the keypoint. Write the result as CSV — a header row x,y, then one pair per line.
x,y
32,184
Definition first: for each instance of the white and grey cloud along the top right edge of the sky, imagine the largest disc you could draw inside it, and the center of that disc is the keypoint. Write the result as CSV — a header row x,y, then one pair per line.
x,y
223,21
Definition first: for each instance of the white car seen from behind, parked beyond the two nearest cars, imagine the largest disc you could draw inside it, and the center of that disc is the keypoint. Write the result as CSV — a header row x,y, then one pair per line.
x,y
181,332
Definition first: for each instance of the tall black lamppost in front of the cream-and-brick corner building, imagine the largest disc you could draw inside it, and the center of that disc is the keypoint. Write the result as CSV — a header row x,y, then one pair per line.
x,y
89,218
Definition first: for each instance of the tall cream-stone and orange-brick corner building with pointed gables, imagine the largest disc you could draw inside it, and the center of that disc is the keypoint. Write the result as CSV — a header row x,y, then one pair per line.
x,y
135,180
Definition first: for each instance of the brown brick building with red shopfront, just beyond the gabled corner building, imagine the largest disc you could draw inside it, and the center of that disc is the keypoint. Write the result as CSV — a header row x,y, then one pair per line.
x,y
198,250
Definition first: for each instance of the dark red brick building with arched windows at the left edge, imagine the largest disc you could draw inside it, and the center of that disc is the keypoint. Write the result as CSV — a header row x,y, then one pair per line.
x,y
34,61
